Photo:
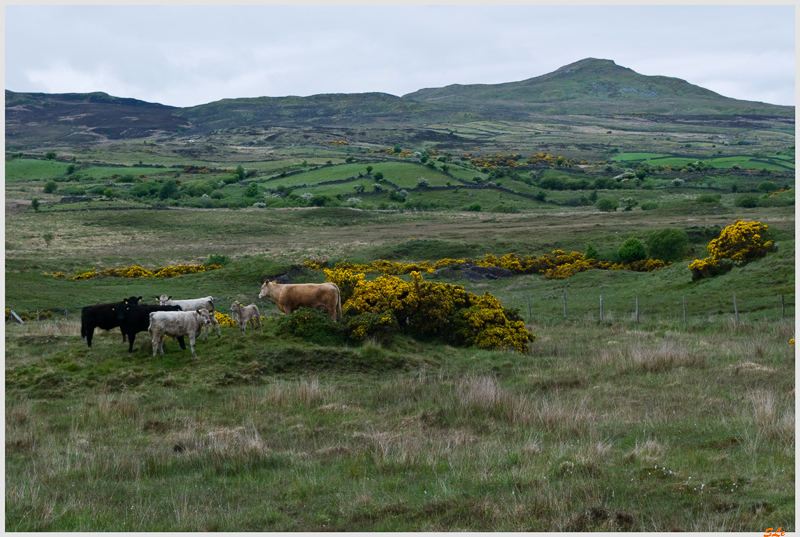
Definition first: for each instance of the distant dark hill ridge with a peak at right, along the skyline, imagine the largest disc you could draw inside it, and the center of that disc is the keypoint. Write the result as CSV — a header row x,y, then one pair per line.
x,y
588,87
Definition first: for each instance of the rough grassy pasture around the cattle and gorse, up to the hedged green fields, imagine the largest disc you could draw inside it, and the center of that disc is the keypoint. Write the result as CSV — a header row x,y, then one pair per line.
x,y
622,424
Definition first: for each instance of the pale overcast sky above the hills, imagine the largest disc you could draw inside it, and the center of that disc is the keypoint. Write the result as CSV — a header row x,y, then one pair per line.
x,y
190,55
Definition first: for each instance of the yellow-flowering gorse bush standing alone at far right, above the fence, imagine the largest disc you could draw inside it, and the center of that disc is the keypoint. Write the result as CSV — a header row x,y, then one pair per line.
x,y
737,244
